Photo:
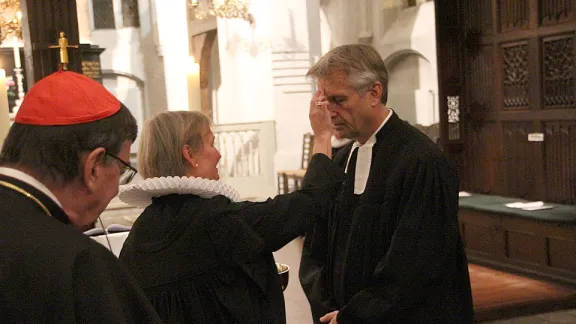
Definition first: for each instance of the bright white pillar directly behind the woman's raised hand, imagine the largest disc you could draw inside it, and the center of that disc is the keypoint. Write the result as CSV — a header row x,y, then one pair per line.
x,y
291,59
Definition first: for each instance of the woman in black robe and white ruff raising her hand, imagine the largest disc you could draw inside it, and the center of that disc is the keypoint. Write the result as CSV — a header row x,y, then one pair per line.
x,y
200,255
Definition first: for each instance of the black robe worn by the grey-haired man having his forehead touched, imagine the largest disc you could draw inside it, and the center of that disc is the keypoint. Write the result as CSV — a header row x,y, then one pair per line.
x,y
393,254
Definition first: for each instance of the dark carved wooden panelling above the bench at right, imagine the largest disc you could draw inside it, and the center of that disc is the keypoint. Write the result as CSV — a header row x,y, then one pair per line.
x,y
508,98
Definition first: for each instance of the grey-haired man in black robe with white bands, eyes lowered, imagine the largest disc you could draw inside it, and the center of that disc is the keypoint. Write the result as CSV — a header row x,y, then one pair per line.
x,y
391,250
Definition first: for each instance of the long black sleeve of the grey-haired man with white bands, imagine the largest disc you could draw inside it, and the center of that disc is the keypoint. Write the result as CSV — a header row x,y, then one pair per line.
x,y
423,243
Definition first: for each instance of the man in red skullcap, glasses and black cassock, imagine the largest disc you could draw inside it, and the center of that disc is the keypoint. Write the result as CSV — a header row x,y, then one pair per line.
x,y
60,166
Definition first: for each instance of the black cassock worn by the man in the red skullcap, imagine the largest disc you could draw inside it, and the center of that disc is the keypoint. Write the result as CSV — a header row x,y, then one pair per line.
x,y
51,273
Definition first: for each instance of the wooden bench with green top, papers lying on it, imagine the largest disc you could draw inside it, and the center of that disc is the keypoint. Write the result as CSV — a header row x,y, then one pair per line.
x,y
541,242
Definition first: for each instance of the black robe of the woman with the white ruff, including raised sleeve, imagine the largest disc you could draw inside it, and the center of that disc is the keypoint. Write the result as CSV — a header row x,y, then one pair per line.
x,y
209,260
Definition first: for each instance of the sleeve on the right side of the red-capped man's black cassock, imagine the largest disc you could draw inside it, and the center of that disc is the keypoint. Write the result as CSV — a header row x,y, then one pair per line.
x,y
104,292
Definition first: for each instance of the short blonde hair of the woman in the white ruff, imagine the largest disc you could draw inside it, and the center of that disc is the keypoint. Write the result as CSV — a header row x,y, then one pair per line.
x,y
163,136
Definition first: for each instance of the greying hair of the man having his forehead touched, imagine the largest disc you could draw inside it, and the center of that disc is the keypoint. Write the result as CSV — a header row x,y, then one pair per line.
x,y
362,63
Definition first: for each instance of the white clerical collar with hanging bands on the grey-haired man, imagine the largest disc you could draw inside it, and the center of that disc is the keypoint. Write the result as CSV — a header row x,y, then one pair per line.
x,y
364,159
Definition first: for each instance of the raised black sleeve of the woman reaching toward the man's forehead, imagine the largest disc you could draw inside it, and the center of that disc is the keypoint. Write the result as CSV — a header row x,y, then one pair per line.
x,y
278,221
